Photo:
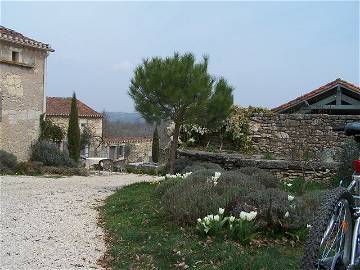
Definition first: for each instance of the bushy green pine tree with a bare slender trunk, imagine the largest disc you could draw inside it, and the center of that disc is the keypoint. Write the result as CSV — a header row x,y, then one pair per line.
x,y
181,90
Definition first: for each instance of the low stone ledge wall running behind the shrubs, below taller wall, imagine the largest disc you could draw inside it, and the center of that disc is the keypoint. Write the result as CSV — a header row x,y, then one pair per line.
x,y
284,169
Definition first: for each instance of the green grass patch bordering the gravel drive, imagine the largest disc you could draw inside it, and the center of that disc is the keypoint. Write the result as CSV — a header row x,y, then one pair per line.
x,y
142,237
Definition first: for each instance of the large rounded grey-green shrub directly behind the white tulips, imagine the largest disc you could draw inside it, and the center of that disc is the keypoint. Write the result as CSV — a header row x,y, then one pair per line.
x,y
197,195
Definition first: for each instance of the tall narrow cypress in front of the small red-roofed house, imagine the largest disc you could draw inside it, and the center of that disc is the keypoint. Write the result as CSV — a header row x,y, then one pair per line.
x,y
73,135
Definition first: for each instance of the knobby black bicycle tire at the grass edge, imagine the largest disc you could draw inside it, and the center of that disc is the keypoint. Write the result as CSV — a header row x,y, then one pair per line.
x,y
319,227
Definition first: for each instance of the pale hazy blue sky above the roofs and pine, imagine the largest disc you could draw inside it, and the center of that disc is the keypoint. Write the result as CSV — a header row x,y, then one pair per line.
x,y
270,52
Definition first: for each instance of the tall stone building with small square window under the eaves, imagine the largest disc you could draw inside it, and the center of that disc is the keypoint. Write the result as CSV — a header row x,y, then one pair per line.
x,y
22,90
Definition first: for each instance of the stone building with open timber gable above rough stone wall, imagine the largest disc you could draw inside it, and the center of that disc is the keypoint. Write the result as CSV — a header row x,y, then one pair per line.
x,y
302,128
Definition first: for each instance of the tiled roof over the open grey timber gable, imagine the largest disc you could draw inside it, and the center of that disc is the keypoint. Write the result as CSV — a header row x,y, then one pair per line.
x,y
316,92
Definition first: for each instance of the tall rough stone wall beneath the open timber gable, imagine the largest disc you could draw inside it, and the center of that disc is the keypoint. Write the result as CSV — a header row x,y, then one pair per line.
x,y
299,136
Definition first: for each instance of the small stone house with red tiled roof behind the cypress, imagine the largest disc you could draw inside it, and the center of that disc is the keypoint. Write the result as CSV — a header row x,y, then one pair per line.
x,y
58,111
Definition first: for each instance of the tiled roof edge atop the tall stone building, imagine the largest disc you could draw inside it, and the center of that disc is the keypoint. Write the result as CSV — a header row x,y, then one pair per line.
x,y
18,38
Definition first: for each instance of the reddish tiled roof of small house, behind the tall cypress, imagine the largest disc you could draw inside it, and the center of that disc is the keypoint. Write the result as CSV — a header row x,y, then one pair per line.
x,y
59,106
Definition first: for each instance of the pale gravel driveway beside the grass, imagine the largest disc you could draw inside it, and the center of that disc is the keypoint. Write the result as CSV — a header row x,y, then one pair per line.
x,y
51,223
